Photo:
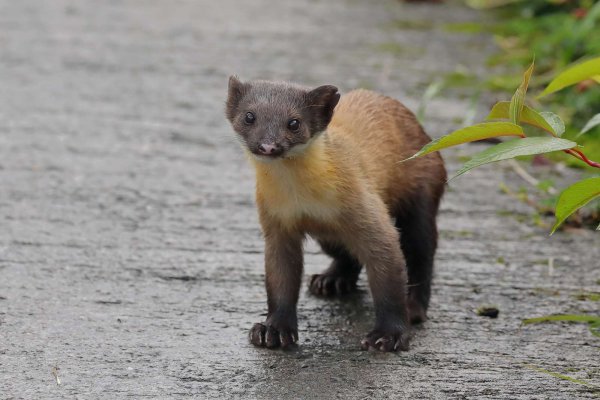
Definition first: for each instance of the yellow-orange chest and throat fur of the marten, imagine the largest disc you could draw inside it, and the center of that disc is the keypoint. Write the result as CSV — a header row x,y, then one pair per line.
x,y
293,189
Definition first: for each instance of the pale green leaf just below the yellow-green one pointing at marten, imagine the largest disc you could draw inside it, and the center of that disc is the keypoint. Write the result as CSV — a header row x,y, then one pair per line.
x,y
515,148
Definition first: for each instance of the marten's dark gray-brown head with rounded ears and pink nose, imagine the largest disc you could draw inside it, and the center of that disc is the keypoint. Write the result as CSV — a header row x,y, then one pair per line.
x,y
275,119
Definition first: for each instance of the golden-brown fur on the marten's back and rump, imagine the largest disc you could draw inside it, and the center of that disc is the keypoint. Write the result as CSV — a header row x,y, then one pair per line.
x,y
380,132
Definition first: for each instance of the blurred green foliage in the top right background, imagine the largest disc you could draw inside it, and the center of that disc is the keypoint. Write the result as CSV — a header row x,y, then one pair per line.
x,y
557,33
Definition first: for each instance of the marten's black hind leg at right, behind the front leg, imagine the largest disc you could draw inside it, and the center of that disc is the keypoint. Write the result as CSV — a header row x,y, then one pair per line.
x,y
416,222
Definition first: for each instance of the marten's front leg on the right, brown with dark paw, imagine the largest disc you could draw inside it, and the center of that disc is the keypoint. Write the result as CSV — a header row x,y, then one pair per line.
x,y
375,242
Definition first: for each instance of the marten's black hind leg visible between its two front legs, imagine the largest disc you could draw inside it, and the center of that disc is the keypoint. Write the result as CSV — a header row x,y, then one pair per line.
x,y
341,276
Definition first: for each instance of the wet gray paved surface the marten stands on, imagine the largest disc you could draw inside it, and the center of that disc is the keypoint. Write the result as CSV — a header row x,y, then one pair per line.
x,y
130,252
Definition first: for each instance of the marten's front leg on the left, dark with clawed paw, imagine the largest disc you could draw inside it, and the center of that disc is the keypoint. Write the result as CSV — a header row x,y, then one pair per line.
x,y
283,275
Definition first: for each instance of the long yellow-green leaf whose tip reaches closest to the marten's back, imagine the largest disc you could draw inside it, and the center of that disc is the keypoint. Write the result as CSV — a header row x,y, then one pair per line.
x,y
470,134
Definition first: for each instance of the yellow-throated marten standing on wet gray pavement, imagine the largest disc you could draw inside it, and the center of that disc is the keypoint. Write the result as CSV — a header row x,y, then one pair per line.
x,y
329,167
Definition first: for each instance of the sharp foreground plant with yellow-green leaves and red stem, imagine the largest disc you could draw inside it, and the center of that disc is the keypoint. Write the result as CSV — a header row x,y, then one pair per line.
x,y
516,113
